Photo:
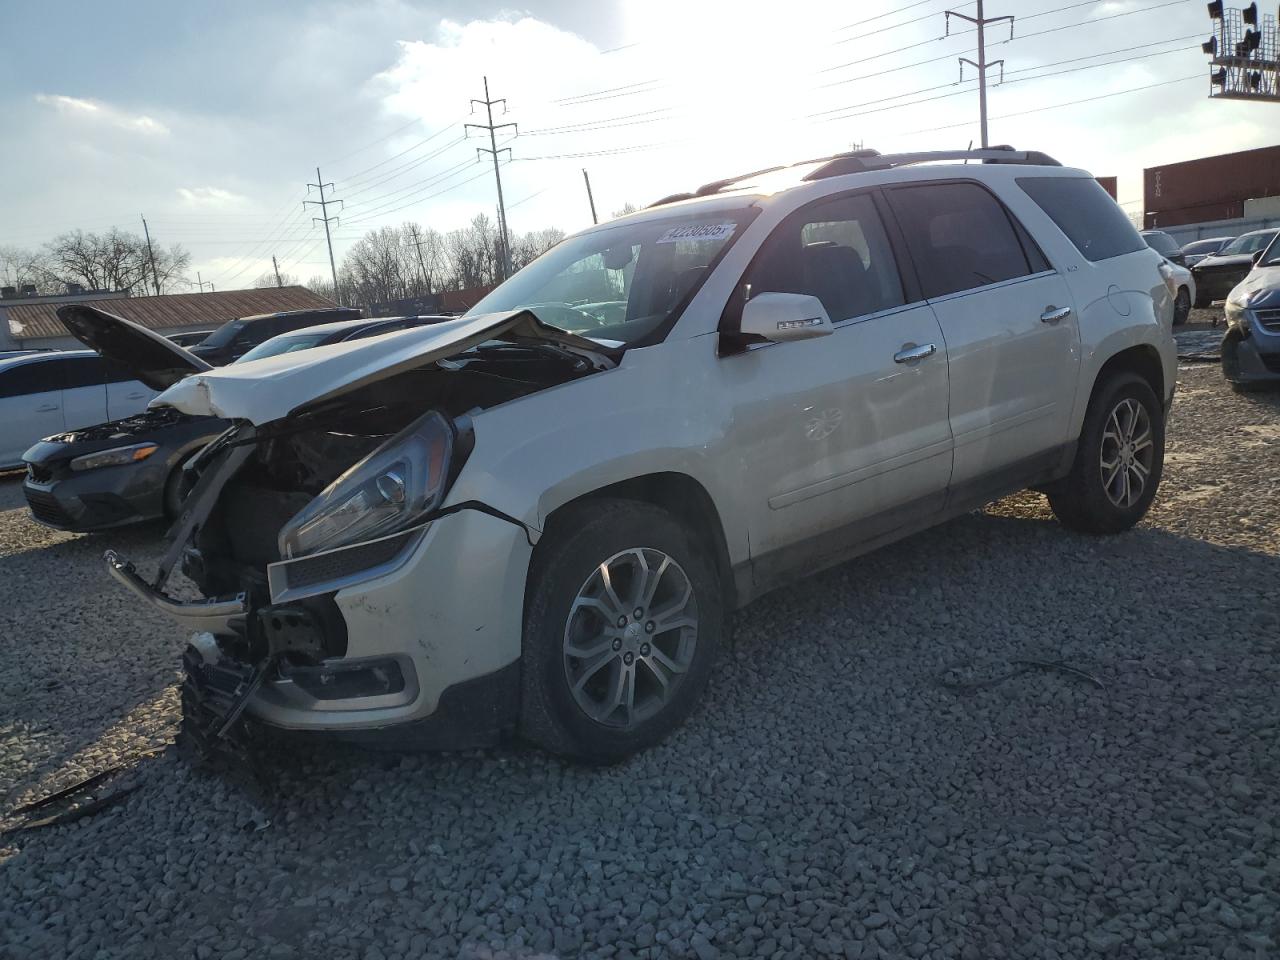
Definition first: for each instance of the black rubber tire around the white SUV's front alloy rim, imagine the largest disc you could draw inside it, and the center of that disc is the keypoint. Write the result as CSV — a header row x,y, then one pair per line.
x,y
579,543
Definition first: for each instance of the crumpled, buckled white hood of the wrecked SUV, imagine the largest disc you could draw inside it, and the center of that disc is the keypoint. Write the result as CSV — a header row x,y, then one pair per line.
x,y
273,388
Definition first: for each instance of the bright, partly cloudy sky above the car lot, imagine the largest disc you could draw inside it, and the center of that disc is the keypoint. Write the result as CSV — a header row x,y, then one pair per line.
x,y
211,120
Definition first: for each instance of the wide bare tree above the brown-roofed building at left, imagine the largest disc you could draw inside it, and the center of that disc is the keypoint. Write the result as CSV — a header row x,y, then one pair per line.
x,y
116,260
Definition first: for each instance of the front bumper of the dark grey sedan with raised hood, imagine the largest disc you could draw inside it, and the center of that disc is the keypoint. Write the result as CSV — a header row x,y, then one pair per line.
x,y
98,500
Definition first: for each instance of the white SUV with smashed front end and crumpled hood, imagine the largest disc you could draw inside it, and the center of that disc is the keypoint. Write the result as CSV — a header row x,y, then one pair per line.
x,y
538,518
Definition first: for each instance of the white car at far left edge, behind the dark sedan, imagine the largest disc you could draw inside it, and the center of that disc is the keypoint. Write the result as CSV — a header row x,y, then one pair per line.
x,y
52,394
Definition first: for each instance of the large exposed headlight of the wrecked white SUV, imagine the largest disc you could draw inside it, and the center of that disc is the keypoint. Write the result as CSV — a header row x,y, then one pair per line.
x,y
390,490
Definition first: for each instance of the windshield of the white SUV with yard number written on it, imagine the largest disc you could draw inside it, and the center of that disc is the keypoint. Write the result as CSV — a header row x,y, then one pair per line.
x,y
624,282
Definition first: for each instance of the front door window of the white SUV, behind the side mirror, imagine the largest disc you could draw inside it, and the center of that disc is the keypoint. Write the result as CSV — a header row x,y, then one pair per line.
x,y
836,252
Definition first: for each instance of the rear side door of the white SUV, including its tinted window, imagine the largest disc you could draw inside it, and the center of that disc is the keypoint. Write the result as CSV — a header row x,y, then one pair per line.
x,y
1009,323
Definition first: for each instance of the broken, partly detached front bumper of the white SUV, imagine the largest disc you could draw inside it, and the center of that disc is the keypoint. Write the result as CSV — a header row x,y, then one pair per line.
x,y
437,628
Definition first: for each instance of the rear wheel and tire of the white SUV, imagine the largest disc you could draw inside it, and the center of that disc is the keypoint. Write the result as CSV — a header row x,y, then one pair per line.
x,y
1084,501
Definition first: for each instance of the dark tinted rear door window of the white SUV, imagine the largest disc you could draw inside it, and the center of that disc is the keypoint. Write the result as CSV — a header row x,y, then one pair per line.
x,y
961,237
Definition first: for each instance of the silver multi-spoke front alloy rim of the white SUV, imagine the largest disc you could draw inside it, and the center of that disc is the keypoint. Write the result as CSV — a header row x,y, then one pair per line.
x,y
630,637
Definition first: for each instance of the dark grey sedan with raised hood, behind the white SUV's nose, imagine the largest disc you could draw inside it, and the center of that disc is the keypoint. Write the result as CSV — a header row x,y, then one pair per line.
x,y
131,470
